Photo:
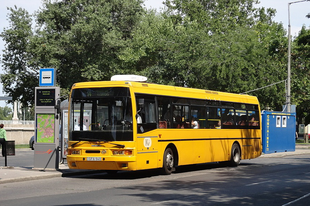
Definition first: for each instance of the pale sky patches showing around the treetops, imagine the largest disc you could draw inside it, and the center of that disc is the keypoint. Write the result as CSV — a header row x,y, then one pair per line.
x,y
298,11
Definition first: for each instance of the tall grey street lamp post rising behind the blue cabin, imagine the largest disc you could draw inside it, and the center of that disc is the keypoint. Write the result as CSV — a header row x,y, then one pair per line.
x,y
288,95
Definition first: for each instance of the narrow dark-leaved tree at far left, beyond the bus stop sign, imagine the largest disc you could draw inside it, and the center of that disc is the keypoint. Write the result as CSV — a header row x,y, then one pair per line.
x,y
18,79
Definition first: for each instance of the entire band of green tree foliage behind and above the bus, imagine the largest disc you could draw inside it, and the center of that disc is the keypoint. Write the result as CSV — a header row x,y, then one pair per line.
x,y
211,44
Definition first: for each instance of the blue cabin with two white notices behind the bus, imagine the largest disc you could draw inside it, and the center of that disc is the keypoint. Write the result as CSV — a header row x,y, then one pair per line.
x,y
278,131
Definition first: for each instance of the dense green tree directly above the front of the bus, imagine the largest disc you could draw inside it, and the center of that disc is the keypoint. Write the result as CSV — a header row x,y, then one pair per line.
x,y
82,38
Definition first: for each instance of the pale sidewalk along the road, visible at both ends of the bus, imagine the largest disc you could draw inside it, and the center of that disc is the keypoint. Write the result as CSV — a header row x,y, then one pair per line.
x,y
18,174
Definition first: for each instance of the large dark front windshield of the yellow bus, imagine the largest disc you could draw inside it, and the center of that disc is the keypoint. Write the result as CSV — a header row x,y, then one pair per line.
x,y
101,114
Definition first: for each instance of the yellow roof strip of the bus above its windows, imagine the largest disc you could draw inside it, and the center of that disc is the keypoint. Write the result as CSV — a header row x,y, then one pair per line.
x,y
167,90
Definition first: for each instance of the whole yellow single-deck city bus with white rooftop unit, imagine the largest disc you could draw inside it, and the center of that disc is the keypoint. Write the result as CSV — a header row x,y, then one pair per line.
x,y
130,125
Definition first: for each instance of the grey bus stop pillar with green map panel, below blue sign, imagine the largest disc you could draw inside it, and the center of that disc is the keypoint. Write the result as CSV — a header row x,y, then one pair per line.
x,y
47,116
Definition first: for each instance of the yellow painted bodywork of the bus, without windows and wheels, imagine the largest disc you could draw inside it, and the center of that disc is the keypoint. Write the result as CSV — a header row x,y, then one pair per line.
x,y
193,146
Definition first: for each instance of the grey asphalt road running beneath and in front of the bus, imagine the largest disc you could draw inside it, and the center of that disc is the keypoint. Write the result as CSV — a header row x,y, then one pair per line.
x,y
269,180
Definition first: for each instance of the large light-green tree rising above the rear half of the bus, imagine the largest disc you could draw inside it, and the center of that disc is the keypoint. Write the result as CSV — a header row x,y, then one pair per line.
x,y
219,45
